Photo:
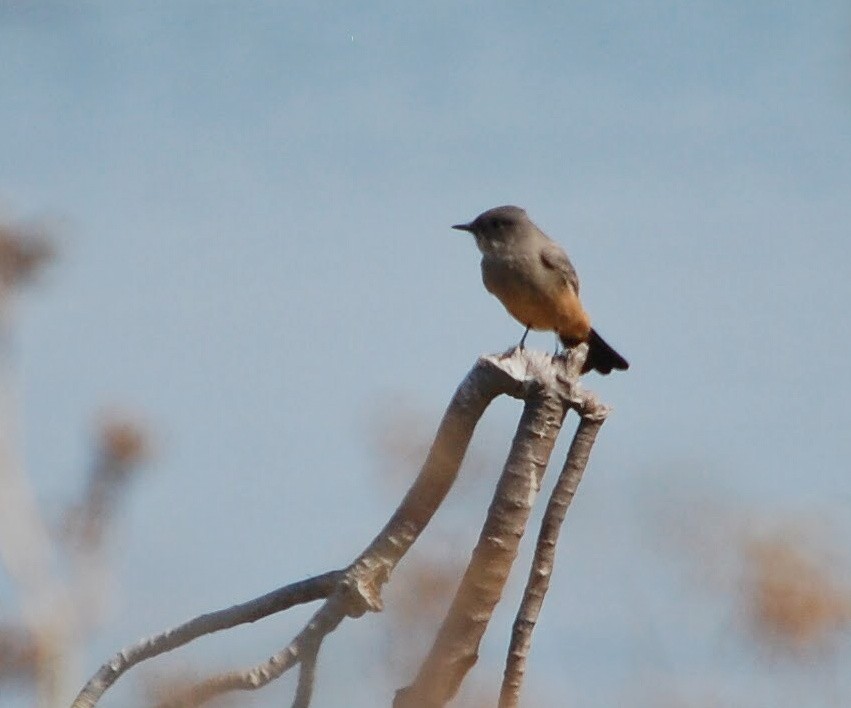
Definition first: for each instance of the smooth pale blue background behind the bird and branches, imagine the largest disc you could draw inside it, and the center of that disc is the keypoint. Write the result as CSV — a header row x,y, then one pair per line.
x,y
252,205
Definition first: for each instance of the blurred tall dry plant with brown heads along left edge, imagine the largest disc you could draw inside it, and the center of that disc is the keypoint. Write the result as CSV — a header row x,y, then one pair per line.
x,y
57,568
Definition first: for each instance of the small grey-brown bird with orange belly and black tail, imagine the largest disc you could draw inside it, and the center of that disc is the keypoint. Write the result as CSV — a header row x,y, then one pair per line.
x,y
535,281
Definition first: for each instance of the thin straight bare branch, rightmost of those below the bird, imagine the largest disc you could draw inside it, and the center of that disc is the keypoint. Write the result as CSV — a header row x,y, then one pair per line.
x,y
544,558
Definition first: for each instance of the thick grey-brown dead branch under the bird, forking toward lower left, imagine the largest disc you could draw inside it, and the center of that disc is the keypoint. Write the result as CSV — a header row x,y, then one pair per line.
x,y
549,386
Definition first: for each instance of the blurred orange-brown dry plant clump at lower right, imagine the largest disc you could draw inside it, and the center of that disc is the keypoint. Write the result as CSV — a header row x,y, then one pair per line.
x,y
786,575
